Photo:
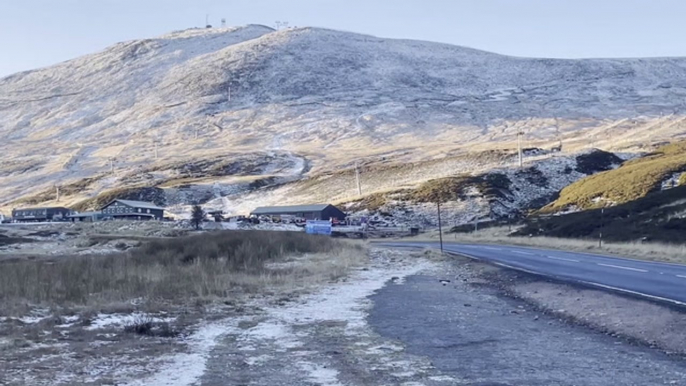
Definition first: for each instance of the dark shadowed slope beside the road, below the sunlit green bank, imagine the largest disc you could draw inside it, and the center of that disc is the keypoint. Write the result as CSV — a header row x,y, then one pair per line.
x,y
659,216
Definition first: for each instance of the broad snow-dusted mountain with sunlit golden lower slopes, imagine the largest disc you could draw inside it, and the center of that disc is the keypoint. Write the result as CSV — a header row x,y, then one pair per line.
x,y
311,100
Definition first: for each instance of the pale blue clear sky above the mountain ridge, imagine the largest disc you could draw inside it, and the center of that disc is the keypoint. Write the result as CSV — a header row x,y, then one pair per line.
x,y
38,33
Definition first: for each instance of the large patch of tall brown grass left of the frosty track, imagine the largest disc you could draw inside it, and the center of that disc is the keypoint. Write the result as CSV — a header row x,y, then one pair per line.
x,y
169,270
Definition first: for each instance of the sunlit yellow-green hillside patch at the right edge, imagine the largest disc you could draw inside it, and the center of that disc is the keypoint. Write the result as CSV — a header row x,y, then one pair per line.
x,y
631,181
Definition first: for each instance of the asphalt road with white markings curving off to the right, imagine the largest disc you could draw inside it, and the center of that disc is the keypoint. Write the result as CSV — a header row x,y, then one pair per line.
x,y
659,281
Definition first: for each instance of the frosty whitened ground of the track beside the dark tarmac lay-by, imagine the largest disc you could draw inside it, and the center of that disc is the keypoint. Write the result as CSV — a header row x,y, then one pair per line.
x,y
291,344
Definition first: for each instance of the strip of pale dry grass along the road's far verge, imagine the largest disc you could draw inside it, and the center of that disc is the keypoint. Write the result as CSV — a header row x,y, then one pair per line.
x,y
673,253
